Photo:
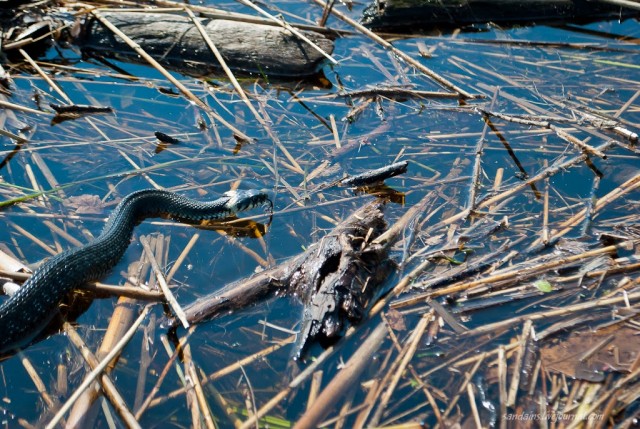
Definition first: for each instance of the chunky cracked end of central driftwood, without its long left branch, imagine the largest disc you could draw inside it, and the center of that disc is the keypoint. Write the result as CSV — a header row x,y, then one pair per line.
x,y
340,277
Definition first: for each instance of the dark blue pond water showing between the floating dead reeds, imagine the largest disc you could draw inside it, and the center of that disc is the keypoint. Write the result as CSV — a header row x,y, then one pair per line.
x,y
437,136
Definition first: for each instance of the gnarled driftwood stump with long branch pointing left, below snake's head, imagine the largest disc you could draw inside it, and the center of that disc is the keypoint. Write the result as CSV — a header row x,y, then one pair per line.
x,y
337,279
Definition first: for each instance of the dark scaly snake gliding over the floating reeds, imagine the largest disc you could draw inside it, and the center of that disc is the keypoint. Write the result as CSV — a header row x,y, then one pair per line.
x,y
25,314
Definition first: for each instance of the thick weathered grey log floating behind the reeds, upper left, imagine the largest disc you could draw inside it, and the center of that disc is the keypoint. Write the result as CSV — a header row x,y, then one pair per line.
x,y
246,47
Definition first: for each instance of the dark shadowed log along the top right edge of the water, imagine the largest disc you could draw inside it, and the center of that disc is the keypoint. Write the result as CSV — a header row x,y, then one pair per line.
x,y
403,14
